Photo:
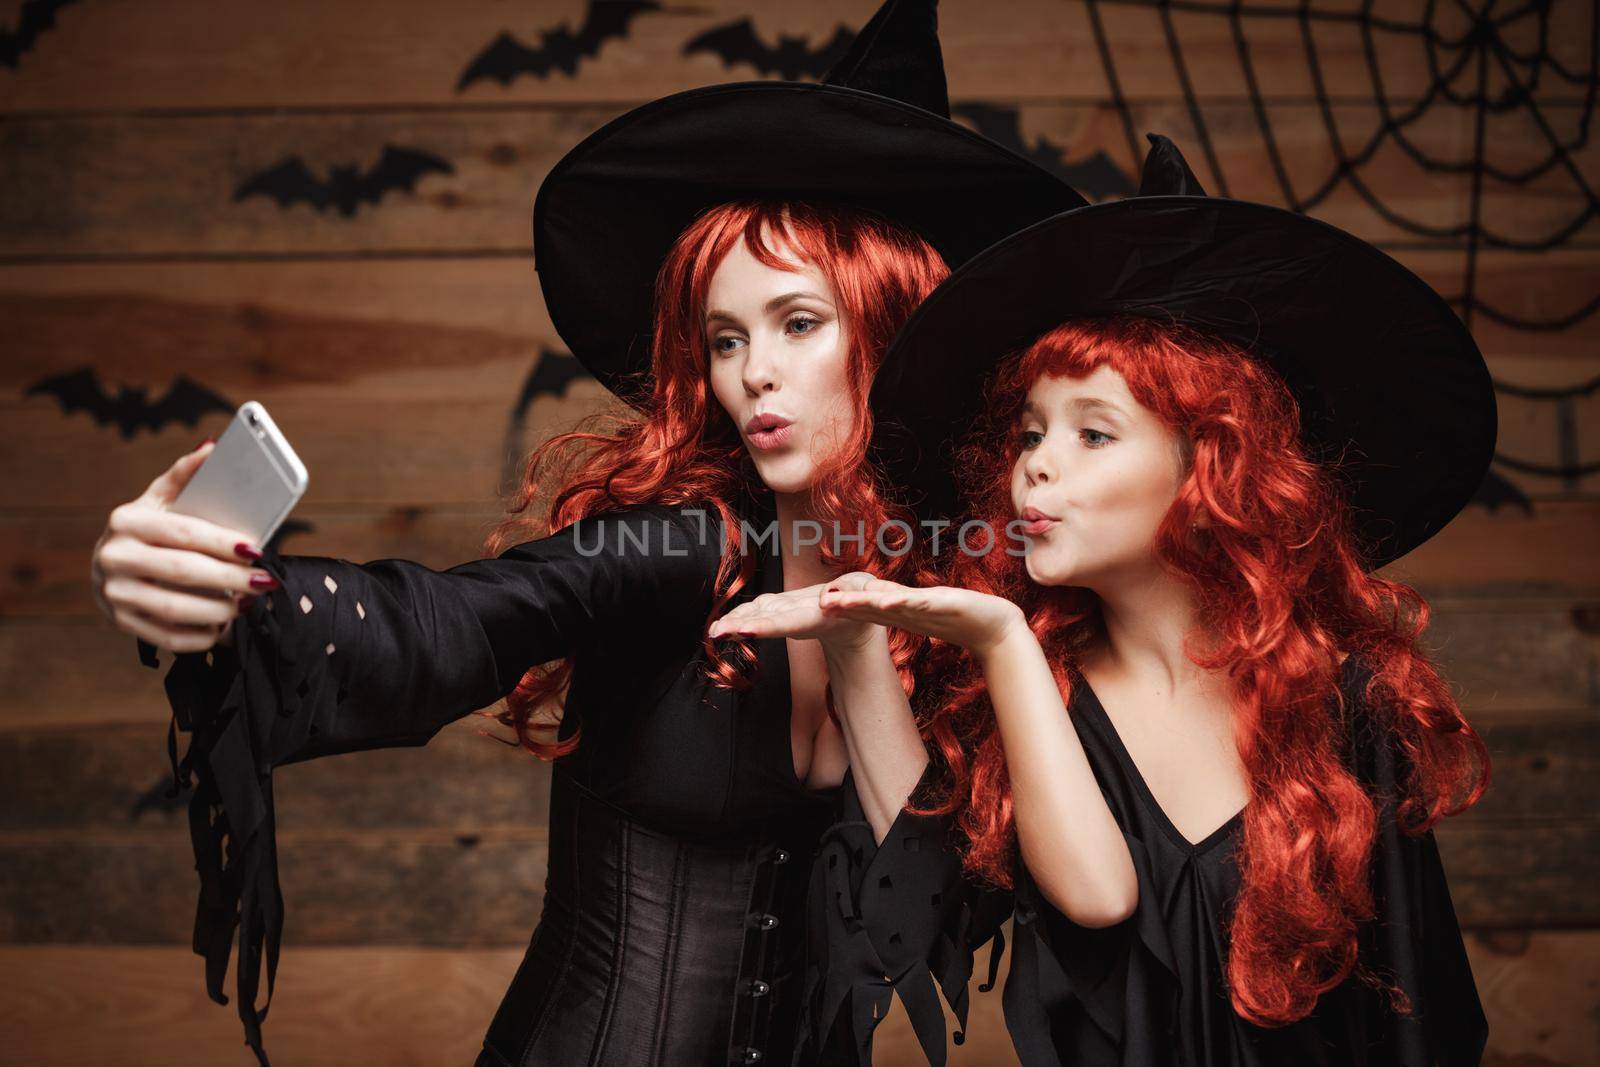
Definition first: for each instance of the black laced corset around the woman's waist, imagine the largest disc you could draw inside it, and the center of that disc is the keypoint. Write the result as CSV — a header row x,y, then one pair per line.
x,y
658,949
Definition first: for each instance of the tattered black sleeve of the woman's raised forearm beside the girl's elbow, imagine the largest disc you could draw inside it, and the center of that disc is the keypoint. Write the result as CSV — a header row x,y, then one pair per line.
x,y
892,919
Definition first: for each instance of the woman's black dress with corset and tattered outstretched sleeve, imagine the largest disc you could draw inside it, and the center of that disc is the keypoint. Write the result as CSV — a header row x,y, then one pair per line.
x,y
681,837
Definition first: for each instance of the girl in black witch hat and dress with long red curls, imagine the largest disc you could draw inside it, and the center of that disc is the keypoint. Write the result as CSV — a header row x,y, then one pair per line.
x,y
1220,420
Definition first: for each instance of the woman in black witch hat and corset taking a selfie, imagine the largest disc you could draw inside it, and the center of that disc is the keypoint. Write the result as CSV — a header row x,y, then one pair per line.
x,y
690,262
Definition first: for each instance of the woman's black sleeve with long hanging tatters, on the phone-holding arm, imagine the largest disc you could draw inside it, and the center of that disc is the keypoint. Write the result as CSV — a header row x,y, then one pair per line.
x,y
351,657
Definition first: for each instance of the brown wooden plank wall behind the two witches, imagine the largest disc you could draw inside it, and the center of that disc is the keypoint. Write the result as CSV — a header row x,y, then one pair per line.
x,y
393,346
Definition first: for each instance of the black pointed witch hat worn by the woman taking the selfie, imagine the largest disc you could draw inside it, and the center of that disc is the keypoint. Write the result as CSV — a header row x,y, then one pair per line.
x,y
876,135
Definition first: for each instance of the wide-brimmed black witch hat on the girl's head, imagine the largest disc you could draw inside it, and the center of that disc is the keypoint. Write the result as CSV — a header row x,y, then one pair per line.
x,y
1394,393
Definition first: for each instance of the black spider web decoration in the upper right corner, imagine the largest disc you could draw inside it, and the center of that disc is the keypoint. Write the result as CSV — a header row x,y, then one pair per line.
x,y
1489,63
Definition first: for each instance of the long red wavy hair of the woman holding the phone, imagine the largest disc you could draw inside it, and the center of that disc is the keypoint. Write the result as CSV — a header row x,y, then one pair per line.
x,y
679,446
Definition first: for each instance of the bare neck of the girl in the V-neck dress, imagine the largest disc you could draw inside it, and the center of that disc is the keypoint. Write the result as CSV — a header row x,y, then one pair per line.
x,y
1148,623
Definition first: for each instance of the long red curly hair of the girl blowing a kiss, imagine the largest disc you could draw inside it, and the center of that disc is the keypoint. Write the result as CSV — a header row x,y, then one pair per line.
x,y
1282,597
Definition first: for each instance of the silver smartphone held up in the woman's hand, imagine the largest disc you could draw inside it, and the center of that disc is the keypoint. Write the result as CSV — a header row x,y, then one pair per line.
x,y
252,479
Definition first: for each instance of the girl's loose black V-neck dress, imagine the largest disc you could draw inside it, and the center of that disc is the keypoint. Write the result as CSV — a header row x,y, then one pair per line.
x,y
1150,993
